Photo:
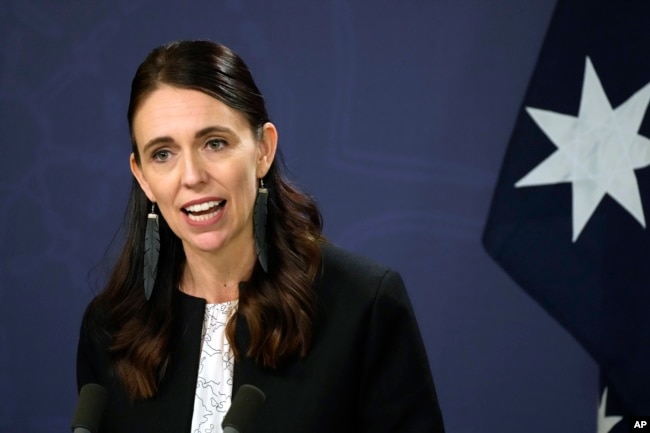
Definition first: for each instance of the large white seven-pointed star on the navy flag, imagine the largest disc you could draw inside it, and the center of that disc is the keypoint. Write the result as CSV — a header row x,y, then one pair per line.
x,y
597,151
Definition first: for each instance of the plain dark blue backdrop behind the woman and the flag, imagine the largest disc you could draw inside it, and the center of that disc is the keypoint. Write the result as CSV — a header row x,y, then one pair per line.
x,y
394,114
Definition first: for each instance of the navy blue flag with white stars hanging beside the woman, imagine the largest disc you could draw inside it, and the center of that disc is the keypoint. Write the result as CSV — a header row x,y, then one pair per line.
x,y
569,217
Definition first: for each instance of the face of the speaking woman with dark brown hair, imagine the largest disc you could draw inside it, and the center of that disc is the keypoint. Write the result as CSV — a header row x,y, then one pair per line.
x,y
201,162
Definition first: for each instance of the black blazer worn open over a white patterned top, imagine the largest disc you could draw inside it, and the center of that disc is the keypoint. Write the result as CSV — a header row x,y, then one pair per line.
x,y
367,370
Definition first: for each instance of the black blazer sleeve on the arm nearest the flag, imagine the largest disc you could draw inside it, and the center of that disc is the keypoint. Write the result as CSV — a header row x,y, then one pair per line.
x,y
398,392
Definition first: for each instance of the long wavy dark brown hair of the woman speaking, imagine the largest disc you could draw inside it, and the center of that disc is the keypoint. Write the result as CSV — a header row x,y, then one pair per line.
x,y
278,306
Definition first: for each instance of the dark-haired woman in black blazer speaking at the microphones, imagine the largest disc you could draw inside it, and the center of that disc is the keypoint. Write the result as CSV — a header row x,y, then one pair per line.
x,y
225,279
